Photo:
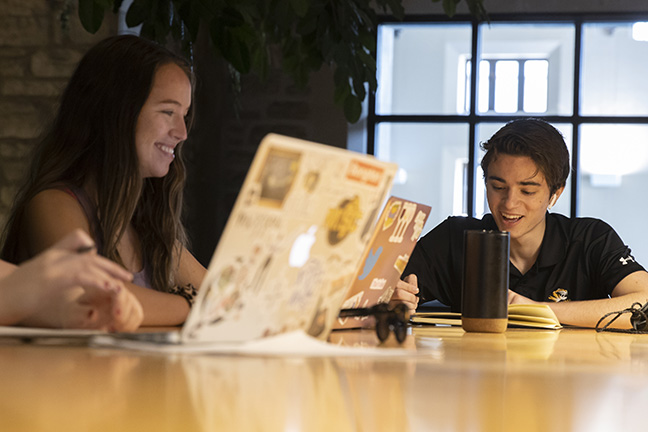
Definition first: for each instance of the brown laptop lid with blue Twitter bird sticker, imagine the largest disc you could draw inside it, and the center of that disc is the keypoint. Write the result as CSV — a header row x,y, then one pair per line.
x,y
393,239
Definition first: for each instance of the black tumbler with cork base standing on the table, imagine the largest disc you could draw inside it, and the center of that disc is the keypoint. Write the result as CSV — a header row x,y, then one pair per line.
x,y
484,296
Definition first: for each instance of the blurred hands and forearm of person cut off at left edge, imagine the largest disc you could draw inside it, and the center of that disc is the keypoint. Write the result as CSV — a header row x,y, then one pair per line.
x,y
68,286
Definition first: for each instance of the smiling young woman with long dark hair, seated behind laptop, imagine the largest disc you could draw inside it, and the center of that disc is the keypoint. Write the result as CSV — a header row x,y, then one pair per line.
x,y
112,166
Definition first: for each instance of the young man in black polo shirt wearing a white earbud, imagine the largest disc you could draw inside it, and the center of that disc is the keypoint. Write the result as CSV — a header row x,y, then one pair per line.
x,y
578,266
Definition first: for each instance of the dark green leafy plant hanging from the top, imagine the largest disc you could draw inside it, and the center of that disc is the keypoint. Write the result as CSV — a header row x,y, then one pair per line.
x,y
308,34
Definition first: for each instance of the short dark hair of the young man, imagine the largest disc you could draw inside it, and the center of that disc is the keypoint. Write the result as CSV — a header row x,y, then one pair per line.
x,y
536,139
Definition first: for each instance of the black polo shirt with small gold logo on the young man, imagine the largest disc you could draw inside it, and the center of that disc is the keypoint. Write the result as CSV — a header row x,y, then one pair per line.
x,y
579,259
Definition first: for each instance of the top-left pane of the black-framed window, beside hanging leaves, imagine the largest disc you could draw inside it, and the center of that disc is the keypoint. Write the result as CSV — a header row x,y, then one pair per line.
x,y
422,68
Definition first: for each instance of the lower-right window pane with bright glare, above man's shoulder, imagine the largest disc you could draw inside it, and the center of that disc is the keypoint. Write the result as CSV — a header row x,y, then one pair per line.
x,y
613,179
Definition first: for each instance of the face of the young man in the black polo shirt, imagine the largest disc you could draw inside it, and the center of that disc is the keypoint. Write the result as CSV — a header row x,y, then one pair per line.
x,y
518,196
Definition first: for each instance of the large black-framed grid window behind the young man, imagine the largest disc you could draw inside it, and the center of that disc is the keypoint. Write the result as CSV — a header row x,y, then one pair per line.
x,y
582,74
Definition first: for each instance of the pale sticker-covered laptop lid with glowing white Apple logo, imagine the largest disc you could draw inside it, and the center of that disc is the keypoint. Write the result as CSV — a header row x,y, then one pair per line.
x,y
292,243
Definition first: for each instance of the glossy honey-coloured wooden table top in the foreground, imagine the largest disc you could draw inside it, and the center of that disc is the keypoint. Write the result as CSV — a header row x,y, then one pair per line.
x,y
523,380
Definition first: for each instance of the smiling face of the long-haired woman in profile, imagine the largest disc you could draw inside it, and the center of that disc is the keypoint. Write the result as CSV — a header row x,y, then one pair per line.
x,y
161,122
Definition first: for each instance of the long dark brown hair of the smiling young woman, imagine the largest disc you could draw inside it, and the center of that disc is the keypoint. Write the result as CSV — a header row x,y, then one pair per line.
x,y
93,138
